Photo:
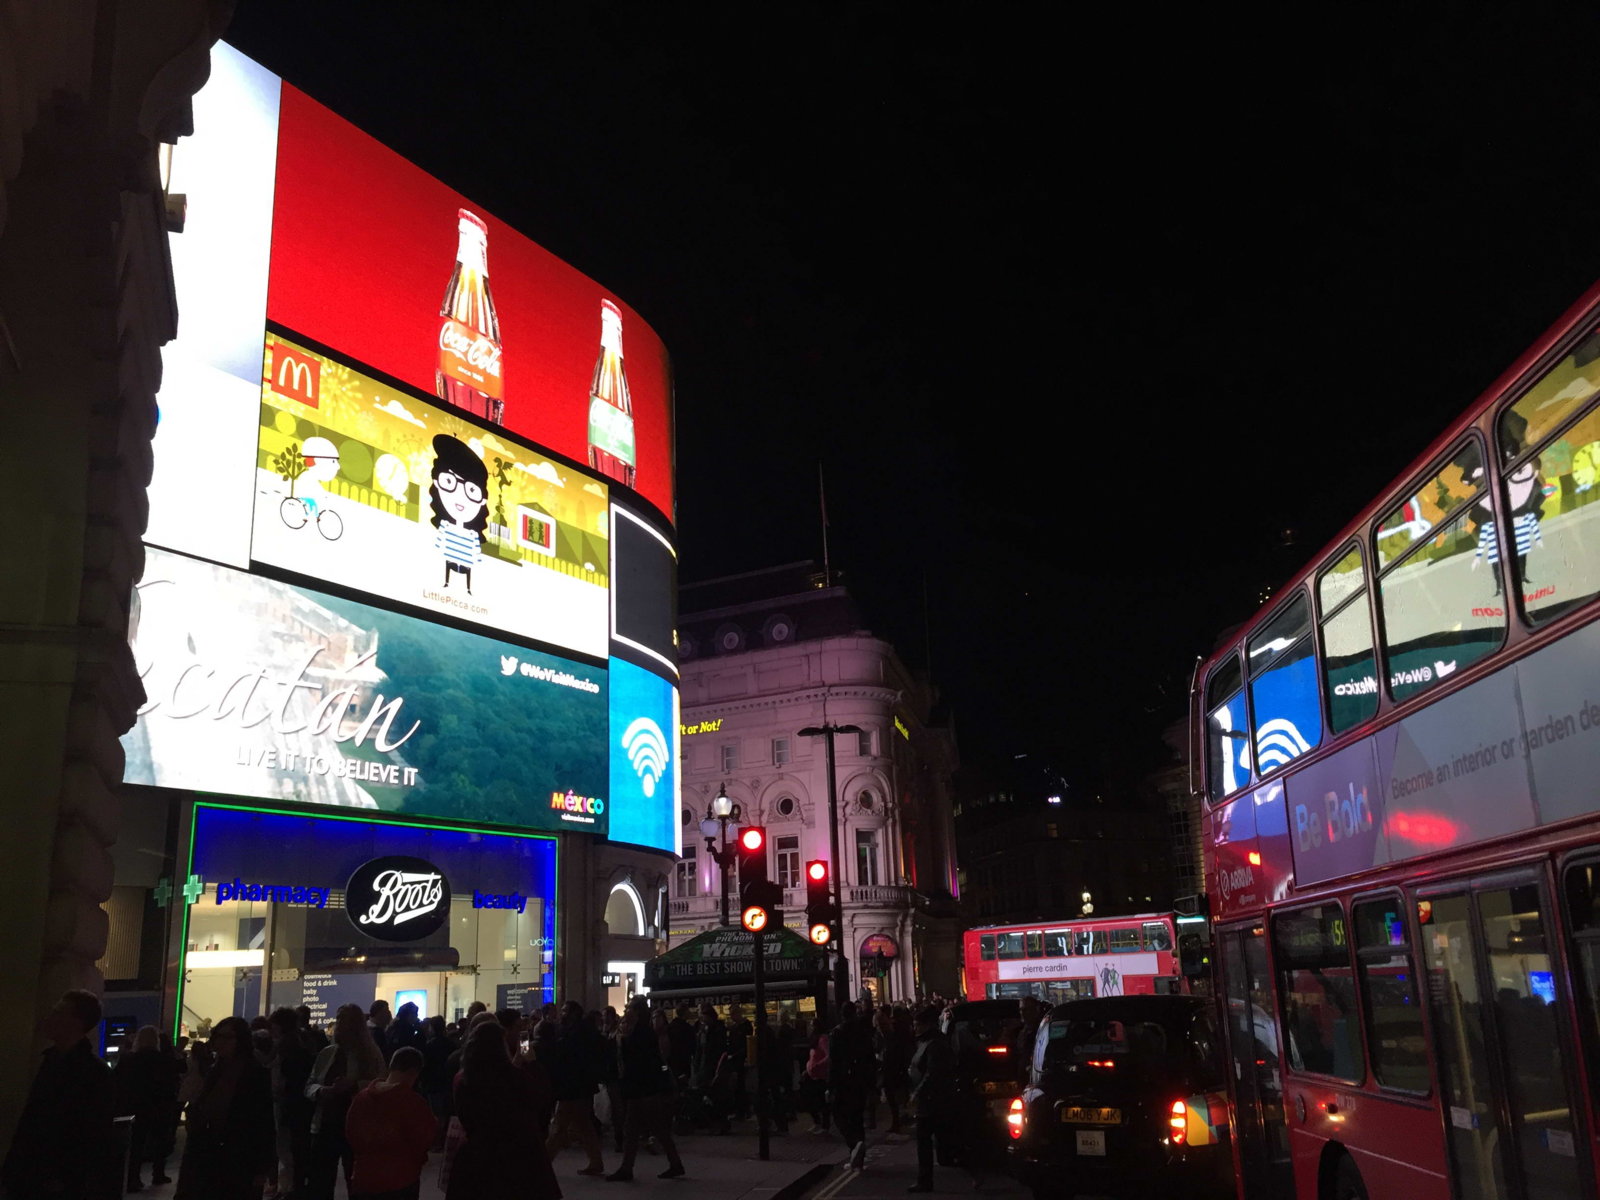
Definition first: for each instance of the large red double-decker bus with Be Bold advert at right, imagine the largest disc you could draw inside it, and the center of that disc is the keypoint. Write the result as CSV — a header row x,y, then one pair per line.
x,y
1401,770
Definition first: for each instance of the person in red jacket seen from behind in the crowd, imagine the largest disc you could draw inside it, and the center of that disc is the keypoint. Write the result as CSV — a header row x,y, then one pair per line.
x,y
391,1129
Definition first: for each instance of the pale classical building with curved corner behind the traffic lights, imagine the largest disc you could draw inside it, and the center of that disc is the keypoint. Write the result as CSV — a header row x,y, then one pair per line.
x,y
766,657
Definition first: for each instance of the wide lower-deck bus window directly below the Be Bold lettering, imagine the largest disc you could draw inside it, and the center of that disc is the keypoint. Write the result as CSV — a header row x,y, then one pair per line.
x,y
1318,985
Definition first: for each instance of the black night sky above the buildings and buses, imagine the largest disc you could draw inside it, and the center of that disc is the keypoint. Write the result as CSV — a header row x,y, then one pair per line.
x,y
1100,327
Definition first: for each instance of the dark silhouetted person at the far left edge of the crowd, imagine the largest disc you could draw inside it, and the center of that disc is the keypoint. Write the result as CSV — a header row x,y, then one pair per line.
x,y
63,1138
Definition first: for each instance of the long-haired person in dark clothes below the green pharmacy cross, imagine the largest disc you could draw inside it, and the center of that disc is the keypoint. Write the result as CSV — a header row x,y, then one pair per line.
x,y
230,1151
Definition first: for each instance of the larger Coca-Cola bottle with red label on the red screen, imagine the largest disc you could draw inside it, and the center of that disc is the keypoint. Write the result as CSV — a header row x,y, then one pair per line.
x,y
470,350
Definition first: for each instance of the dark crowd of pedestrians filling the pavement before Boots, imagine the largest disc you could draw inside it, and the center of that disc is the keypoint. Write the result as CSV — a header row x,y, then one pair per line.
x,y
281,1108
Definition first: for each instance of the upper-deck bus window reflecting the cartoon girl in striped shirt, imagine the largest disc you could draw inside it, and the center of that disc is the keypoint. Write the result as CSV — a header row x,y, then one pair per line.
x,y
1556,553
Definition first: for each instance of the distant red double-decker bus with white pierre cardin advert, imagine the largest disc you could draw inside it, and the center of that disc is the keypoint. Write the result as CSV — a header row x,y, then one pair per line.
x,y
1074,959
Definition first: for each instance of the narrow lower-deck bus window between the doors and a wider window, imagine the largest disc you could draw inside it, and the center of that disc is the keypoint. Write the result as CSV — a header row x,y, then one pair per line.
x,y
1394,1017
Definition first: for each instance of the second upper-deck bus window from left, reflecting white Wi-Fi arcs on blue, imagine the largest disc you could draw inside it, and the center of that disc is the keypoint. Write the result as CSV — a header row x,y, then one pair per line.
x,y
1284,687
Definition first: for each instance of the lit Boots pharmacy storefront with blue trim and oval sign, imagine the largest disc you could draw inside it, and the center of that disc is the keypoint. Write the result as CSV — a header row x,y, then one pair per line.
x,y
286,910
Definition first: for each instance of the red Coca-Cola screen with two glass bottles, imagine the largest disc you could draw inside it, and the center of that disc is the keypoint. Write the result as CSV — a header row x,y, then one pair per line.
x,y
377,258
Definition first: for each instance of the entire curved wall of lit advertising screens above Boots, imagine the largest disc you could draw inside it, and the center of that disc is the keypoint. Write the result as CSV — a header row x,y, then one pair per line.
x,y
398,420
